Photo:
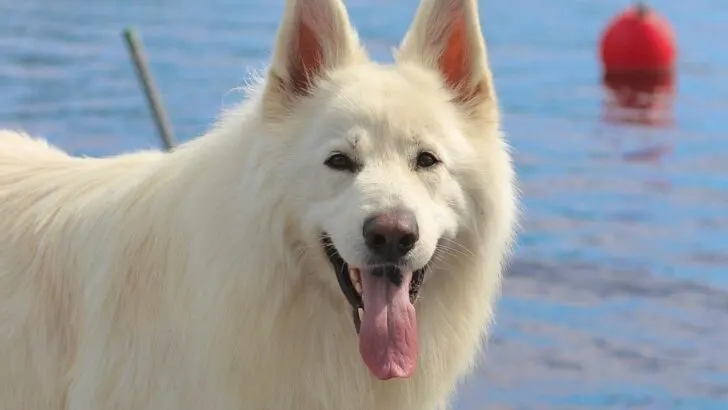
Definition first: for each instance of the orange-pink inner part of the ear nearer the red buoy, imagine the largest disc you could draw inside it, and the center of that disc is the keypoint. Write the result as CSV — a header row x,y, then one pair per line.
x,y
455,61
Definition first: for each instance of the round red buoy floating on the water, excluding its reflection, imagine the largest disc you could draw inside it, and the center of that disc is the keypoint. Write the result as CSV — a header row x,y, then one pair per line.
x,y
638,41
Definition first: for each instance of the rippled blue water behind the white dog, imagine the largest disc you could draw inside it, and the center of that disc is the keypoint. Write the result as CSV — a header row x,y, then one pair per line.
x,y
618,295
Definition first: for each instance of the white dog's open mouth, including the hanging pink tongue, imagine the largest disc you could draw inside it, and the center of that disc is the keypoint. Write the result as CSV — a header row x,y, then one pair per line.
x,y
382,299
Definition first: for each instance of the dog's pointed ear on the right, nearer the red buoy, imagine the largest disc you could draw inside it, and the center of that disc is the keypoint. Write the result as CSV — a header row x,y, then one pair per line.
x,y
446,36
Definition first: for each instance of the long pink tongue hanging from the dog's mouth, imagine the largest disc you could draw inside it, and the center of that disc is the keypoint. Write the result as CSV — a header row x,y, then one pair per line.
x,y
388,334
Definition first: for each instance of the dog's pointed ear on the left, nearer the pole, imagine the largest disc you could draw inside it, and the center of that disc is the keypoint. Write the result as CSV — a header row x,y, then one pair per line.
x,y
315,37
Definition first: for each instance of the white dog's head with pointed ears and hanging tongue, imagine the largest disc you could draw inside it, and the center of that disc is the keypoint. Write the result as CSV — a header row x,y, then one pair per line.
x,y
383,156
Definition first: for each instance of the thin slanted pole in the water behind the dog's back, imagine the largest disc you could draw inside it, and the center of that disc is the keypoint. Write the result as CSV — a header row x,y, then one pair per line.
x,y
153,98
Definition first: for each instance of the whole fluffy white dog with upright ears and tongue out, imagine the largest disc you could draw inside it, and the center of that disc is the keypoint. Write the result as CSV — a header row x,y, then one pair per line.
x,y
276,262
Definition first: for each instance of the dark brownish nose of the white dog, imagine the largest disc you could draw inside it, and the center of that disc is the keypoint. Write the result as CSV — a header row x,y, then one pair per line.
x,y
391,235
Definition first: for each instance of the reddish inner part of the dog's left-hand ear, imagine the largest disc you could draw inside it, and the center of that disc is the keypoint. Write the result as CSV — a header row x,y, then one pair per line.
x,y
307,61
